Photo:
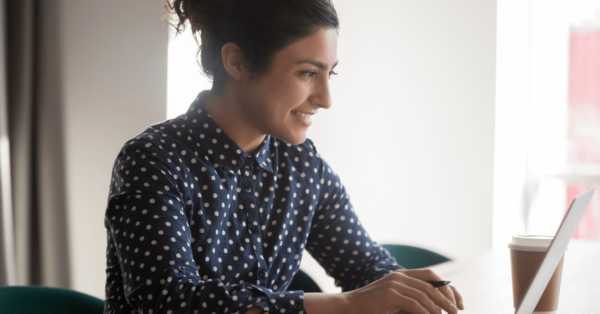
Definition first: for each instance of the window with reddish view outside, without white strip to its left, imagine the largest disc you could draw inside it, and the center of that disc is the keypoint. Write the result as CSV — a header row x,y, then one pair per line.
x,y
564,115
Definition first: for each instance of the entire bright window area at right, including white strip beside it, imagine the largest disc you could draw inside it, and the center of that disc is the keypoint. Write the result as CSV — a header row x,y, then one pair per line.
x,y
547,116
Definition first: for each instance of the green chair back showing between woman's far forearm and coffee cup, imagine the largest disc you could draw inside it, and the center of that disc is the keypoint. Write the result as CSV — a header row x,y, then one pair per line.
x,y
411,257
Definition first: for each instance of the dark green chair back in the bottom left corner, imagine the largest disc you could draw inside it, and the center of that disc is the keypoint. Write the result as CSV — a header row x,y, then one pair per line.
x,y
48,300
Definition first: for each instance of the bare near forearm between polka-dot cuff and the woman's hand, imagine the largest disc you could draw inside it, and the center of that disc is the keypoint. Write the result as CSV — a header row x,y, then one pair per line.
x,y
319,303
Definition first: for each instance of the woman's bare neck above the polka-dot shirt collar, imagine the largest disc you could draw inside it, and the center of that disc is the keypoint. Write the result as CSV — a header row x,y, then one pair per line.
x,y
226,112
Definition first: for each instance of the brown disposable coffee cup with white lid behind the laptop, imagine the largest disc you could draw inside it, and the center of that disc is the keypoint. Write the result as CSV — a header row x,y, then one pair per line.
x,y
526,254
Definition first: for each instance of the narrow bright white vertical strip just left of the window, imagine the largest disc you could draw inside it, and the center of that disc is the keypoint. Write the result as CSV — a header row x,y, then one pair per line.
x,y
512,101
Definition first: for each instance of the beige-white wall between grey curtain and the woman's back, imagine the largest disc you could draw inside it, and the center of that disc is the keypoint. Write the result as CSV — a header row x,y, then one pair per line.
x,y
114,85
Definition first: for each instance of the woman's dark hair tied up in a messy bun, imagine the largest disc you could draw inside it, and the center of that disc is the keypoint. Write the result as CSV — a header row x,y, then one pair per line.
x,y
261,28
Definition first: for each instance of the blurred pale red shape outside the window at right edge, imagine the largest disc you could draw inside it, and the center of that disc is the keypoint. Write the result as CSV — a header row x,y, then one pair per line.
x,y
584,121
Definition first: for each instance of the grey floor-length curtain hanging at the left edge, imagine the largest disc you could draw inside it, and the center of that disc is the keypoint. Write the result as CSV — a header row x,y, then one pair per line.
x,y
34,104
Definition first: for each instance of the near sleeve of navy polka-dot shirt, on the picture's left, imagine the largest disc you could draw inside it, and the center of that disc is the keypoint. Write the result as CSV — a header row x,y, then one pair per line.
x,y
147,219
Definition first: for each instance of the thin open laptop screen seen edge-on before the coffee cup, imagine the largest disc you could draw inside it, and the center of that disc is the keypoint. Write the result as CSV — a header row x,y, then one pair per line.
x,y
555,252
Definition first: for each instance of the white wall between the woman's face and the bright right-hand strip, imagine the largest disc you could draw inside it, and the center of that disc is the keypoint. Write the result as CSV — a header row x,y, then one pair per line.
x,y
411,129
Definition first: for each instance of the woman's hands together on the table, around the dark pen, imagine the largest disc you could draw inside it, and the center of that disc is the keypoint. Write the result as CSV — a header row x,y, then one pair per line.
x,y
405,289
